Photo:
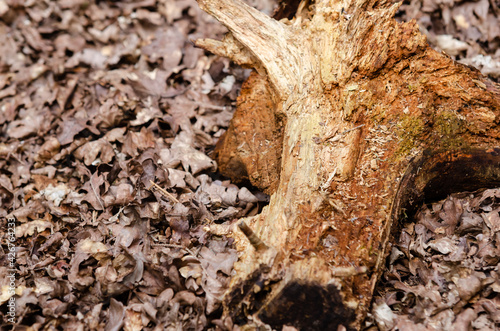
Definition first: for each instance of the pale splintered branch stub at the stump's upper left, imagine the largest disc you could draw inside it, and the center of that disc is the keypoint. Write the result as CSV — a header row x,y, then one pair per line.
x,y
257,40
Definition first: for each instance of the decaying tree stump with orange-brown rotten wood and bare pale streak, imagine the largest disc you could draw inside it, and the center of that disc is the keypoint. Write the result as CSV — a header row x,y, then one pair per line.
x,y
353,120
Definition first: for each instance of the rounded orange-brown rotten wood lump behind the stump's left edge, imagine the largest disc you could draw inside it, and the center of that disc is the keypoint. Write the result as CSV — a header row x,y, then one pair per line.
x,y
250,150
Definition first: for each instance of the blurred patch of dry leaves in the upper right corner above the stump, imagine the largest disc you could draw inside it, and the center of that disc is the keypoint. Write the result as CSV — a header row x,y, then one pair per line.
x,y
468,31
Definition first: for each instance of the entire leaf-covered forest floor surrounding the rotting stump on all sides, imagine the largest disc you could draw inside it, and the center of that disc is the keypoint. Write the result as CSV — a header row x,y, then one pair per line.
x,y
109,116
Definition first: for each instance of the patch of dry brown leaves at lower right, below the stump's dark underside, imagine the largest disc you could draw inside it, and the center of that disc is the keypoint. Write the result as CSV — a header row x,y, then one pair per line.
x,y
443,272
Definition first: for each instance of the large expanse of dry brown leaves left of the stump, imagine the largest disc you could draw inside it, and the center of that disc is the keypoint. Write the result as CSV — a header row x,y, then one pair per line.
x,y
108,114
